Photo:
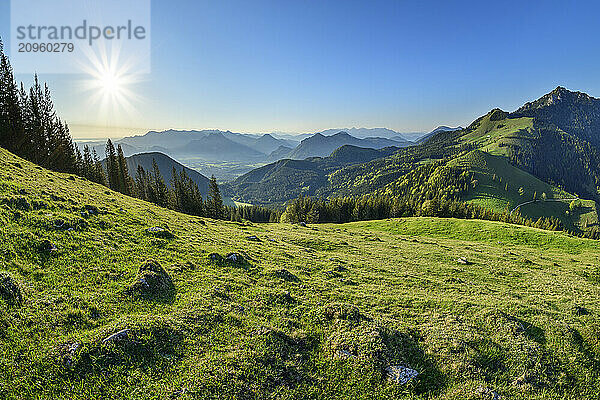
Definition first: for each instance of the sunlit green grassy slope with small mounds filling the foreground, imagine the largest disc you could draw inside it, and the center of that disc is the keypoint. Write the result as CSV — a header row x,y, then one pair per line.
x,y
303,312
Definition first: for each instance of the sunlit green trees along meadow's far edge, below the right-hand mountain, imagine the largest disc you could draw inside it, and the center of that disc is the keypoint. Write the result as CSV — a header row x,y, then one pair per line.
x,y
432,190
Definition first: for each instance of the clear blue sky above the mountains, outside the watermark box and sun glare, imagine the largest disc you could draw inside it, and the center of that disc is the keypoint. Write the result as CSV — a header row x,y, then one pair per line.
x,y
302,66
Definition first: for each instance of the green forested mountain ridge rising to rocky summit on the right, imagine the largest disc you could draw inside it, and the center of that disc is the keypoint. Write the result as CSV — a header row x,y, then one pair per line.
x,y
547,148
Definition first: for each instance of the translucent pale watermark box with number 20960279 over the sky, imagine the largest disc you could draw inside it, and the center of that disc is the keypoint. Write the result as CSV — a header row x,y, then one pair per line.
x,y
74,36
